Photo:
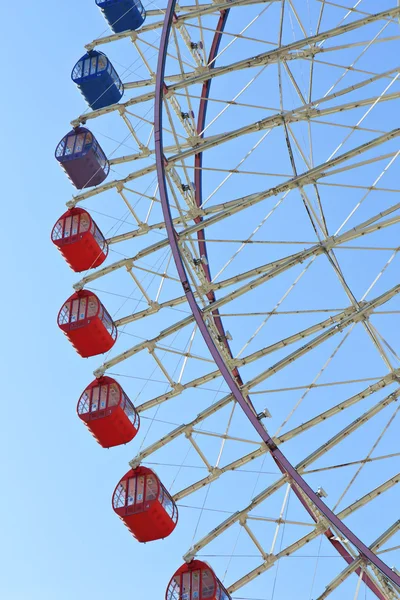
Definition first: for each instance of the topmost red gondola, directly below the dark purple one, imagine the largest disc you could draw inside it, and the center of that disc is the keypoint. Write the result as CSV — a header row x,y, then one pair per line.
x,y
79,240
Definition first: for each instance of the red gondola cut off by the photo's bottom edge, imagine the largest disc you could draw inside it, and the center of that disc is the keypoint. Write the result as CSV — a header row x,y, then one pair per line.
x,y
196,581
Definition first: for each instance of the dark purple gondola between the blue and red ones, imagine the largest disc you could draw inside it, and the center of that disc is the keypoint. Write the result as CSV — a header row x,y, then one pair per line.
x,y
82,158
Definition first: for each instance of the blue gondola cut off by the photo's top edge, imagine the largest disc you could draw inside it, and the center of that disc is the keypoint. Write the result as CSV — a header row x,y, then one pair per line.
x,y
123,15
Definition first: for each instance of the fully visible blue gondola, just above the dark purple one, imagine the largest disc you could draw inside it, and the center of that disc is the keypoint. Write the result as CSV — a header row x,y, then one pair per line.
x,y
97,80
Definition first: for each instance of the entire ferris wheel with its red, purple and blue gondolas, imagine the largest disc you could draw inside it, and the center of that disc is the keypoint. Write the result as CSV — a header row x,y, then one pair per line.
x,y
236,229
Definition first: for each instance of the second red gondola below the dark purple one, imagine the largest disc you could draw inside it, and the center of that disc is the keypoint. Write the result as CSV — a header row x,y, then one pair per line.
x,y
87,324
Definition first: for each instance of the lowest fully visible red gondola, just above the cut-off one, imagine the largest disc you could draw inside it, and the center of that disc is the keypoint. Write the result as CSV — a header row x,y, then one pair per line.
x,y
144,505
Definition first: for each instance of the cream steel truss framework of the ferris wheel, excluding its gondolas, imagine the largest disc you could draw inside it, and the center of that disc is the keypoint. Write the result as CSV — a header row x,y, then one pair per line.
x,y
187,215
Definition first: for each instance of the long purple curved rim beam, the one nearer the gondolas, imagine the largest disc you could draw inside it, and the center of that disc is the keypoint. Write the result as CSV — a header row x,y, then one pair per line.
x,y
283,464
